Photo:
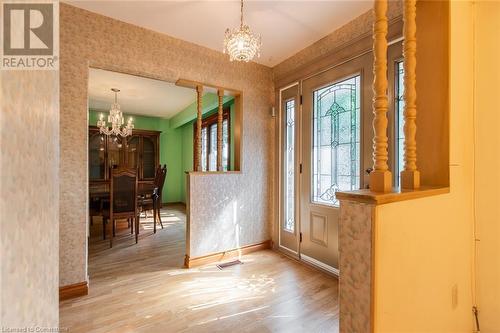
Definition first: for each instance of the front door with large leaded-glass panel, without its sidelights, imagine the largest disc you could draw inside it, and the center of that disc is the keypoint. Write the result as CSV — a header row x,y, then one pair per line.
x,y
331,156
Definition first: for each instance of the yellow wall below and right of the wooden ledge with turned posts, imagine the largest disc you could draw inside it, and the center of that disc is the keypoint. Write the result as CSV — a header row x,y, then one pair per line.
x,y
423,248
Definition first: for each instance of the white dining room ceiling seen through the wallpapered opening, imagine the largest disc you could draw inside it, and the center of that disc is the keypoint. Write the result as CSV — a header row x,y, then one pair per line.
x,y
138,95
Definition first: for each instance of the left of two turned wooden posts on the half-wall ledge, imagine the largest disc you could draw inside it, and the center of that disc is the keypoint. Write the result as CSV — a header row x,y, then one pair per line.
x,y
380,177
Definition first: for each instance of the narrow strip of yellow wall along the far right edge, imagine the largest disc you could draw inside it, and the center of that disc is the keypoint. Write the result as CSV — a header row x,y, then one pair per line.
x,y
487,163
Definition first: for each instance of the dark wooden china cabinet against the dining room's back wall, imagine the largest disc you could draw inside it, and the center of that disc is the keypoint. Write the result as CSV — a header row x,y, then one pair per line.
x,y
141,150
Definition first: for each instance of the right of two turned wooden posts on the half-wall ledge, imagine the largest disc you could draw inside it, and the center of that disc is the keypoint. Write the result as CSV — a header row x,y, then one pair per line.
x,y
410,176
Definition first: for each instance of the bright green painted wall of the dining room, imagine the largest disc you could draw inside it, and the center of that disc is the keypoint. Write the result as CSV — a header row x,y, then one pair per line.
x,y
176,142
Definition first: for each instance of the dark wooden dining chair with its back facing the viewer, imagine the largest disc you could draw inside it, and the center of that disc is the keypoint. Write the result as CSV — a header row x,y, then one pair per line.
x,y
123,200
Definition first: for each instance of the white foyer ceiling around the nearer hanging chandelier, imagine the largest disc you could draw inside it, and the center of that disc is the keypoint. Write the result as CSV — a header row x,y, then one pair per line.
x,y
286,26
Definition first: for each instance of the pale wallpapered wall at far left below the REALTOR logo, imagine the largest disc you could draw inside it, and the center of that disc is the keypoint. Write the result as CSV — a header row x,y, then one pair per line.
x,y
29,199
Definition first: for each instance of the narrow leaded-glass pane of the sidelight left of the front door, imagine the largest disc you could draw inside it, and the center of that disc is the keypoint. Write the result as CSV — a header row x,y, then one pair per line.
x,y
289,224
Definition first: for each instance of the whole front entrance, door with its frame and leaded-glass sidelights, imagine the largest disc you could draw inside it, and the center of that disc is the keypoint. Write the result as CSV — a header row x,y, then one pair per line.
x,y
327,140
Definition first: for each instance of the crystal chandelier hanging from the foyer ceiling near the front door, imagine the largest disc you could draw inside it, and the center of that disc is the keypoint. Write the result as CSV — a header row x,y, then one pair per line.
x,y
241,44
